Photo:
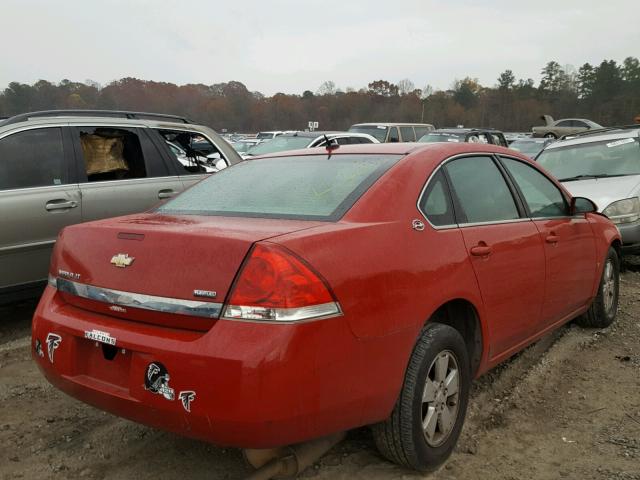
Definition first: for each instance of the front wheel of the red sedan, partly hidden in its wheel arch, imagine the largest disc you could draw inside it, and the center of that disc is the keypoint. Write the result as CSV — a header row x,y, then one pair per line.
x,y
602,313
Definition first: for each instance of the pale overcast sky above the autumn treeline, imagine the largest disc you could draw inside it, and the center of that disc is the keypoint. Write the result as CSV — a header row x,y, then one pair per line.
x,y
291,46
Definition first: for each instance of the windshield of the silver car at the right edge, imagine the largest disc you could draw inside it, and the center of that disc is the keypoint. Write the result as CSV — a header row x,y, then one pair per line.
x,y
600,159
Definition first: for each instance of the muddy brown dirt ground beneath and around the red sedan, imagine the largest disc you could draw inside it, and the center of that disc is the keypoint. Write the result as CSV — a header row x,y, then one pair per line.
x,y
567,407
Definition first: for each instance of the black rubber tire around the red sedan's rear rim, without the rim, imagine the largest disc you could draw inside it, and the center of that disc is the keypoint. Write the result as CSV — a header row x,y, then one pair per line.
x,y
401,438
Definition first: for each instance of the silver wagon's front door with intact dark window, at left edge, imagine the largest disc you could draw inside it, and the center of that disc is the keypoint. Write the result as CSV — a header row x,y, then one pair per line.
x,y
38,197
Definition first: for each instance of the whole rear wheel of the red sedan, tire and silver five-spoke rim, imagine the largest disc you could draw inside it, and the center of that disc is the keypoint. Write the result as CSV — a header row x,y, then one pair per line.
x,y
426,421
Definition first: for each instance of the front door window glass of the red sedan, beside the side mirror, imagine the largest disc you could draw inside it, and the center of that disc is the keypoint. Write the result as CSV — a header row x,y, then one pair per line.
x,y
541,196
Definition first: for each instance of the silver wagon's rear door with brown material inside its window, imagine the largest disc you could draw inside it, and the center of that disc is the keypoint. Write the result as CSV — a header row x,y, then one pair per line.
x,y
120,171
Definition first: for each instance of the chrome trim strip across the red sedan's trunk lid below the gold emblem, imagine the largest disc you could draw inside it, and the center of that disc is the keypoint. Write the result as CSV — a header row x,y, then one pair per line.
x,y
139,300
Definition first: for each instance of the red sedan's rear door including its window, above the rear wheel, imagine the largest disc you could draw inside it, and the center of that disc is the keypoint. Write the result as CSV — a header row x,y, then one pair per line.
x,y
504,249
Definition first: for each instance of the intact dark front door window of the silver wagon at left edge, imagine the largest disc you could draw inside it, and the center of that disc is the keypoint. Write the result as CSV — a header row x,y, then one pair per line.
x,y
33,158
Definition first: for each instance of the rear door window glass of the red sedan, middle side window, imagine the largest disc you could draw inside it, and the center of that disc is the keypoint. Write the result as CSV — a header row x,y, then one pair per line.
x,y
481,190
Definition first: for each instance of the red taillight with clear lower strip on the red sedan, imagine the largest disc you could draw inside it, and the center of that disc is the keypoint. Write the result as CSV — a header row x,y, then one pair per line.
x,y
275,285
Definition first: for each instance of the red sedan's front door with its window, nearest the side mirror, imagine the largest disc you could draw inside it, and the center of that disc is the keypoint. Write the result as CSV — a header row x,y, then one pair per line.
x,y
568,241
